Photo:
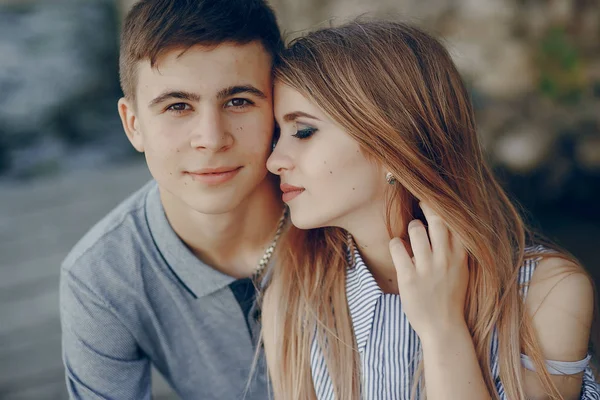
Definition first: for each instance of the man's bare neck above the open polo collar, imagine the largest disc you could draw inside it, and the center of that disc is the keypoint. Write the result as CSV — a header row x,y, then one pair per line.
x,y
231,242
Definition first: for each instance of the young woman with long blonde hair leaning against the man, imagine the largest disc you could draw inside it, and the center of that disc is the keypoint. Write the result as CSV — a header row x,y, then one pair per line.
x,y
378,141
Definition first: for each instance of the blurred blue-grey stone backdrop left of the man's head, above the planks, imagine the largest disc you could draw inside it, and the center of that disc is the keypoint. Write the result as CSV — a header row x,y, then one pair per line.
x,y
58,85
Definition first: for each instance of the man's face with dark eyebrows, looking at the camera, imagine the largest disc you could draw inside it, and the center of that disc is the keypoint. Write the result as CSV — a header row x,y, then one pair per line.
x,y
204,120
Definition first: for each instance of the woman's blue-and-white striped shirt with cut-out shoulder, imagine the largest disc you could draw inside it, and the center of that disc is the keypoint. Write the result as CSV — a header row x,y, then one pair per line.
x,y
389,347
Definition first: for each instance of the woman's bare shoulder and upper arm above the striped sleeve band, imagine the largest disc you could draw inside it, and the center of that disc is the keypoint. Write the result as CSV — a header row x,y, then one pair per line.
x,y
560,300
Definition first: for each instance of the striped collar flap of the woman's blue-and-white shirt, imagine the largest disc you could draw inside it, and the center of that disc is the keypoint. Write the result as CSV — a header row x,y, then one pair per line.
x,y
363,293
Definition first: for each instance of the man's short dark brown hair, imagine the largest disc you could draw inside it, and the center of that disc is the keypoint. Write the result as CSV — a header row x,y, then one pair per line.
x,y
153,27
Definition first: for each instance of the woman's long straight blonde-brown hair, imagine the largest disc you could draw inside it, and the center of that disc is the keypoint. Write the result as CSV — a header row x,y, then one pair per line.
x,y
396,91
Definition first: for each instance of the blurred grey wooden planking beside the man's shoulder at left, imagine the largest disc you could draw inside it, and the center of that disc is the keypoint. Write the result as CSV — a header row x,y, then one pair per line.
x,y
40,221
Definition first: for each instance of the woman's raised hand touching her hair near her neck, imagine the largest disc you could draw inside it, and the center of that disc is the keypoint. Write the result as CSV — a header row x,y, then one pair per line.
x,y
433,284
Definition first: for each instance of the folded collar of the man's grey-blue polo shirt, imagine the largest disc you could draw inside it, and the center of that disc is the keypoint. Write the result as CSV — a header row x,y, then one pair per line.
x,y
197,277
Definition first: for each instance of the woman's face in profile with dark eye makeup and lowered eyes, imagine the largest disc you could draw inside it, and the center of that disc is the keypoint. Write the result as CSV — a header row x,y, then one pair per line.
x,y
326,179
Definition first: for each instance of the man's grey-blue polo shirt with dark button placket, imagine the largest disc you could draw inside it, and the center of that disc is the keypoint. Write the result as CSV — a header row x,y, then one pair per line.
x,y
132,294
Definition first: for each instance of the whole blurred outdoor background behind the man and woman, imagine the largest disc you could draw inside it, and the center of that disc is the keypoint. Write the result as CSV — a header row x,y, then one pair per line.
x,y
532,66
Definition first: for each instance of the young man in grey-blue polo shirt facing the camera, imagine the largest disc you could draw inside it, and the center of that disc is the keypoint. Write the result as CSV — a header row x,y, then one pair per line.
x,y
164,278
